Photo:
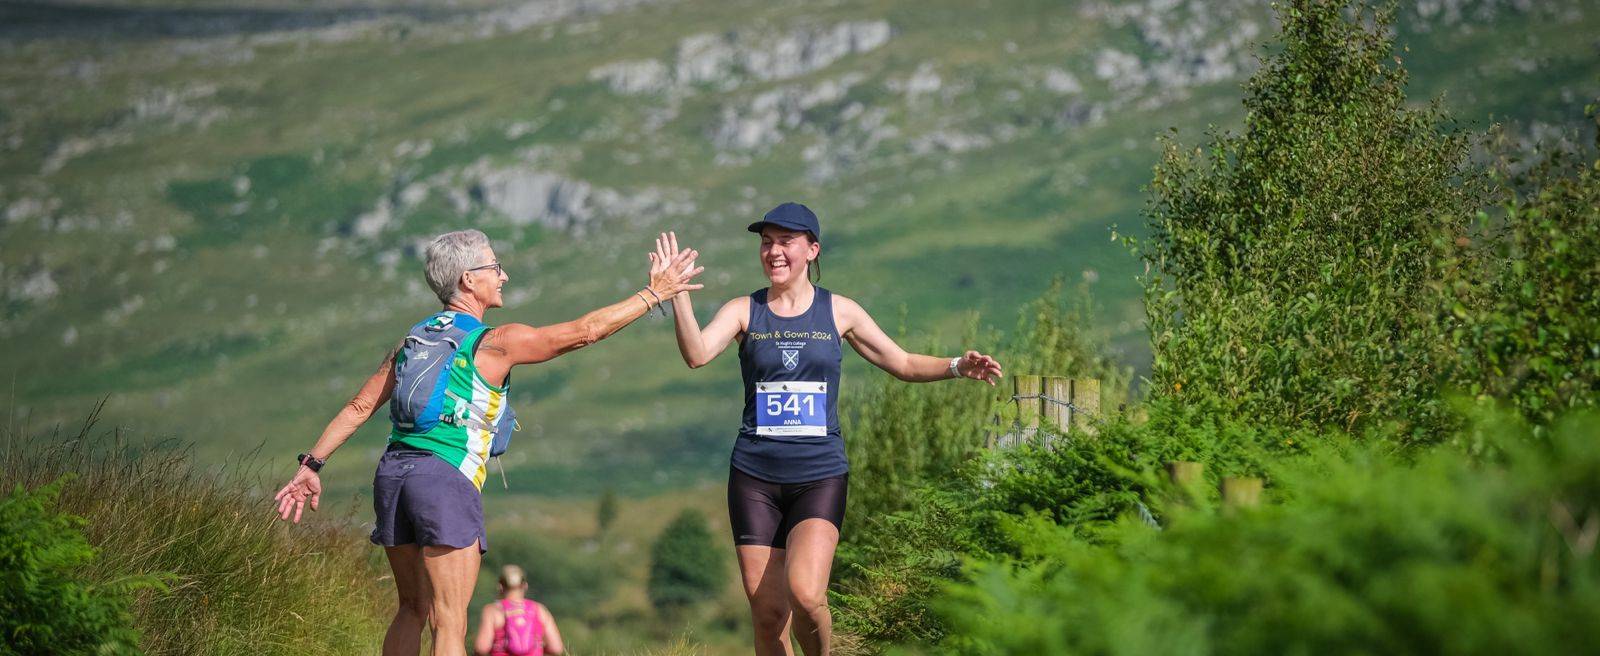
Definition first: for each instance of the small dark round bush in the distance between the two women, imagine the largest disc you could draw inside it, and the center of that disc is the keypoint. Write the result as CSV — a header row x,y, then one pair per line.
x,y
686,564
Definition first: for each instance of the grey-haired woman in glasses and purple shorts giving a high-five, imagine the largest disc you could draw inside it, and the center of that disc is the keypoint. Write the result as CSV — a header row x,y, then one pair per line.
x,y
428,486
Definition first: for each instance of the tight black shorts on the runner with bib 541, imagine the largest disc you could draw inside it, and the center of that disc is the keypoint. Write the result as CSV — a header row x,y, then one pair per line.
x,y
764,513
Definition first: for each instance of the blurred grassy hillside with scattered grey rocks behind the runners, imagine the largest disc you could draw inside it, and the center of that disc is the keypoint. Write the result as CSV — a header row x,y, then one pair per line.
x,y
212,214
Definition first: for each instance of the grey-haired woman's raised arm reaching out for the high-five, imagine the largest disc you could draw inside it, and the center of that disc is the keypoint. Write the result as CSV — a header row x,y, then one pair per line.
x,y
526,345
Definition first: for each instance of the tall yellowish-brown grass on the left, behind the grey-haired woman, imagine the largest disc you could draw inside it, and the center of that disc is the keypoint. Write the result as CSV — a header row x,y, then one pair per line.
x,y
239,580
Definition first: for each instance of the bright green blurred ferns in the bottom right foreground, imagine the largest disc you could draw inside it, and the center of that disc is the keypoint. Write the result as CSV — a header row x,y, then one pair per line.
x,y
1359,551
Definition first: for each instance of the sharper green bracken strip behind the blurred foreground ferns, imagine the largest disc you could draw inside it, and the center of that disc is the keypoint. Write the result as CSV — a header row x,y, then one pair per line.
x,y
1086,489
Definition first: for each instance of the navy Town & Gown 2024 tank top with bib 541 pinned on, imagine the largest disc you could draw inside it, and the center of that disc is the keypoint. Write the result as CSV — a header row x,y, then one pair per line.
x,y
791,394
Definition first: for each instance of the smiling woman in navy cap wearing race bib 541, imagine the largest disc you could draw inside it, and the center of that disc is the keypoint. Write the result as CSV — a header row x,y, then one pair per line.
x,y
786,487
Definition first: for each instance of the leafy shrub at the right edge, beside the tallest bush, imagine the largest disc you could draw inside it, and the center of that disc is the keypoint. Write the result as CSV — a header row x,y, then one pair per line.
x,y
1524,298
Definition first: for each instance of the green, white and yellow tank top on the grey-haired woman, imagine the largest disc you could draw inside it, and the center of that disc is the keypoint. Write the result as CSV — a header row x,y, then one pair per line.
x,y
473,409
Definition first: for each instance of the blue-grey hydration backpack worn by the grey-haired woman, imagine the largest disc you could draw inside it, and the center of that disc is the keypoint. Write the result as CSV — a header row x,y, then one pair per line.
x,y
423,375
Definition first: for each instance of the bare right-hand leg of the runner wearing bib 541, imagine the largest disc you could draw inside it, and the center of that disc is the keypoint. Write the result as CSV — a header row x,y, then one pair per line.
x,y
812,545
